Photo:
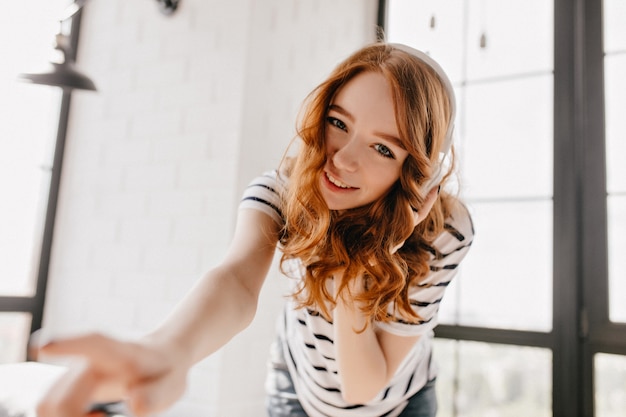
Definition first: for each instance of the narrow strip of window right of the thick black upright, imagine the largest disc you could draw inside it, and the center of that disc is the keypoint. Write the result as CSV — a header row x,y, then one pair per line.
x,y
609,363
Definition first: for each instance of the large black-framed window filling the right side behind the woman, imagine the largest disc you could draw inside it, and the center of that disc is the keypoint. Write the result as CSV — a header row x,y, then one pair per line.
x,y
534,324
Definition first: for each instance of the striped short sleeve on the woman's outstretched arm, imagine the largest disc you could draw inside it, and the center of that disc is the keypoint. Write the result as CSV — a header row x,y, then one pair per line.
x,y
264,194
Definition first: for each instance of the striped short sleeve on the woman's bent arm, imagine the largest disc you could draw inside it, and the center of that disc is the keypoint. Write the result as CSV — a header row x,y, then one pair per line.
x,y
448,251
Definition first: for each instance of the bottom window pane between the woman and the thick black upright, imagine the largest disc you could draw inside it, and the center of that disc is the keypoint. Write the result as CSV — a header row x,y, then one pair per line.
x,y
481,379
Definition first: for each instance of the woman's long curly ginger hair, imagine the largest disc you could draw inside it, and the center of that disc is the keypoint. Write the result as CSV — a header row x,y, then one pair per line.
x,y
359,241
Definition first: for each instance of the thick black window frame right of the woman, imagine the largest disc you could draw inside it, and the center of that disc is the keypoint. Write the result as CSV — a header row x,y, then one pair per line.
x,y
581,325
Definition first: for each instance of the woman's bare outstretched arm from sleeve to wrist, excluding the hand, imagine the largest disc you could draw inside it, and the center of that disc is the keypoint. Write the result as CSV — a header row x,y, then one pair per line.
x,y
224,301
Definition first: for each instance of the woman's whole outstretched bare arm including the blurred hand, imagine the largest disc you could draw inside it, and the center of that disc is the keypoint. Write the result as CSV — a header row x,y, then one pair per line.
x,y
151,373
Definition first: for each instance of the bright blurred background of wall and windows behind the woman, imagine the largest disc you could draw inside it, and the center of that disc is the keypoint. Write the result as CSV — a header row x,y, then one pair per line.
x,y
115,201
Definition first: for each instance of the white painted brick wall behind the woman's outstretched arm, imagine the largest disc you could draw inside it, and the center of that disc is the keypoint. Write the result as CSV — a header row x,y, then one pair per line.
x,y
190,108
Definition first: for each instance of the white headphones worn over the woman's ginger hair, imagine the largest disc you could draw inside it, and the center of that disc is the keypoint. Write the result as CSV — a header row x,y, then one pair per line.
x,y
439,170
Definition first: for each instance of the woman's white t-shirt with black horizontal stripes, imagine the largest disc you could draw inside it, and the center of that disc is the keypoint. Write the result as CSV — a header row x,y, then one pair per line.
x,y
308,338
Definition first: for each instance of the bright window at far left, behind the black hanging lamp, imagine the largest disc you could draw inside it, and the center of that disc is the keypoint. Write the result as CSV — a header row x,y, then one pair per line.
x,y
28,128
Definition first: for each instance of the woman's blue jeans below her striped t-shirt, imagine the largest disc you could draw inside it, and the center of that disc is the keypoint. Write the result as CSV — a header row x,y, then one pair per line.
x,y
282,400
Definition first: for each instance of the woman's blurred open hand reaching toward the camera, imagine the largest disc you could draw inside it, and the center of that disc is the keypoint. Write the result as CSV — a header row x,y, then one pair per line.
x,y
106,370
